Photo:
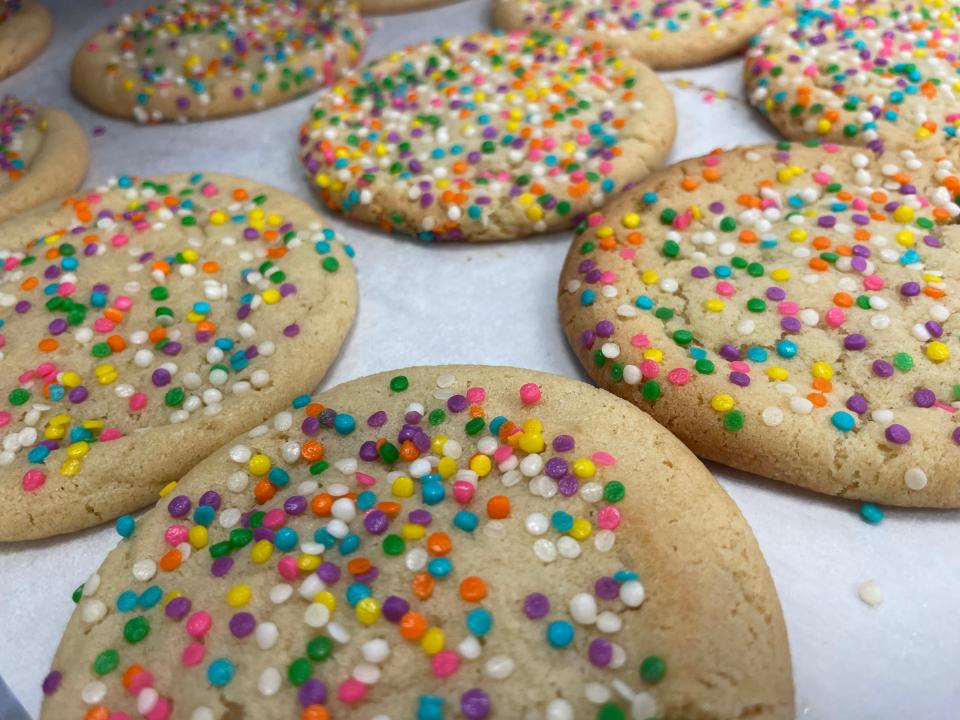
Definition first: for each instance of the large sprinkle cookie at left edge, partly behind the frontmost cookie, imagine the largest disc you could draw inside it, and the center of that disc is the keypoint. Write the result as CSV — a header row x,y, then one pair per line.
x,y
143,324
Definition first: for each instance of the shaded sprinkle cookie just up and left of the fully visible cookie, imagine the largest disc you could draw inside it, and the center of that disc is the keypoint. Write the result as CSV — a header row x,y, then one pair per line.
x,y
197,60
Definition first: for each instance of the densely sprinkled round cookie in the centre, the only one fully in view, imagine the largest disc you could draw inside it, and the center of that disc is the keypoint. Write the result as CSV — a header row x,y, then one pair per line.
x,y
486,137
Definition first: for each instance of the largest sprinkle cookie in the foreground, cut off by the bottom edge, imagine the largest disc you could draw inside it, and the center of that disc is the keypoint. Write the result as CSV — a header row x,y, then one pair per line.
x,y
446,542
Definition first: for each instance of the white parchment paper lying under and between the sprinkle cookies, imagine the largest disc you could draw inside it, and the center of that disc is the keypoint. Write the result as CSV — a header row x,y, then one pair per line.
x,y
850,661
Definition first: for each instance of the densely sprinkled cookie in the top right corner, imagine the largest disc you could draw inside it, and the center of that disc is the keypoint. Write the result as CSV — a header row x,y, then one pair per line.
x,y
877,74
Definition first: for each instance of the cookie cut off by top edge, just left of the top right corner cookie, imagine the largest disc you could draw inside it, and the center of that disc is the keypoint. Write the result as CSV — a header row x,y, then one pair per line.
x,y
664,34
